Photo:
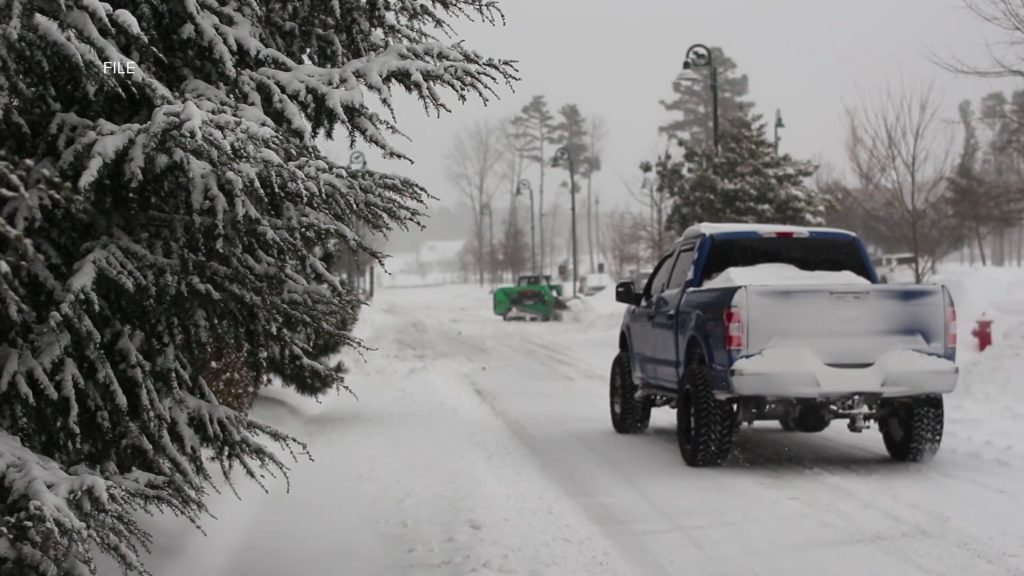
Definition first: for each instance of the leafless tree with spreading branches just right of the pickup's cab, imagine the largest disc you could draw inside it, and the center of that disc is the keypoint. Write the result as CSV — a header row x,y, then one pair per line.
x,y
902,156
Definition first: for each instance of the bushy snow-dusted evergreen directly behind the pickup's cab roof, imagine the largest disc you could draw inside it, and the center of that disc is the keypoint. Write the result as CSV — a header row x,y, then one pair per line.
x,y
746,183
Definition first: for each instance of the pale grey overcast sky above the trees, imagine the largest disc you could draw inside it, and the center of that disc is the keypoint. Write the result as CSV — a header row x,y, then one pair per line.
x,y
617,60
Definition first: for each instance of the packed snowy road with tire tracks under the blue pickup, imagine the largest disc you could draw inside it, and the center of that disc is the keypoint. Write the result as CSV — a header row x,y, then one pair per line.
x,y
786,504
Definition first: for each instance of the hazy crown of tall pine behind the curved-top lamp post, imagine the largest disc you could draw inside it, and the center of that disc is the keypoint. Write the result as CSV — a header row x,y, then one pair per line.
x,y
693,106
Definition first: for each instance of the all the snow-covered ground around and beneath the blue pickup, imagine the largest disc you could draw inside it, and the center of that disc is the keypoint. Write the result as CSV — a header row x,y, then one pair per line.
x,y
483,447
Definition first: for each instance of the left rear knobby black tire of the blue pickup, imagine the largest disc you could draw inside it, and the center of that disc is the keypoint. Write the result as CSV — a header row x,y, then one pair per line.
x,y
705,426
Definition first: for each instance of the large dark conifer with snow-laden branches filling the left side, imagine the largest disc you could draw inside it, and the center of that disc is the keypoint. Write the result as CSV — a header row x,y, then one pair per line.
x,y
156,224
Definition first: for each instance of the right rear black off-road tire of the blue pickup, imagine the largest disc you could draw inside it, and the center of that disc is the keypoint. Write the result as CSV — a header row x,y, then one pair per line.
x,y
913,430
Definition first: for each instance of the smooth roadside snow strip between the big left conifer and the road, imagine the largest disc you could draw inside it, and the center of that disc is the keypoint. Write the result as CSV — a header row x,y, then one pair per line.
x,y
418,477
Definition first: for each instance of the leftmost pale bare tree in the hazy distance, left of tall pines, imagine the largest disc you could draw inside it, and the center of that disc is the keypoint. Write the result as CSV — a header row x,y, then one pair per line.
x,y
474,169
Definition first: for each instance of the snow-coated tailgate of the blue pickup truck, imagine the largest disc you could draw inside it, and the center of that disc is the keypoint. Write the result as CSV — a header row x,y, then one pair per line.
x,y
844,326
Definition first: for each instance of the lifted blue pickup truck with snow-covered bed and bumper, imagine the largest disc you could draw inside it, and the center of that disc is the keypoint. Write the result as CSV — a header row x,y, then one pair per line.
x,y
741,323
